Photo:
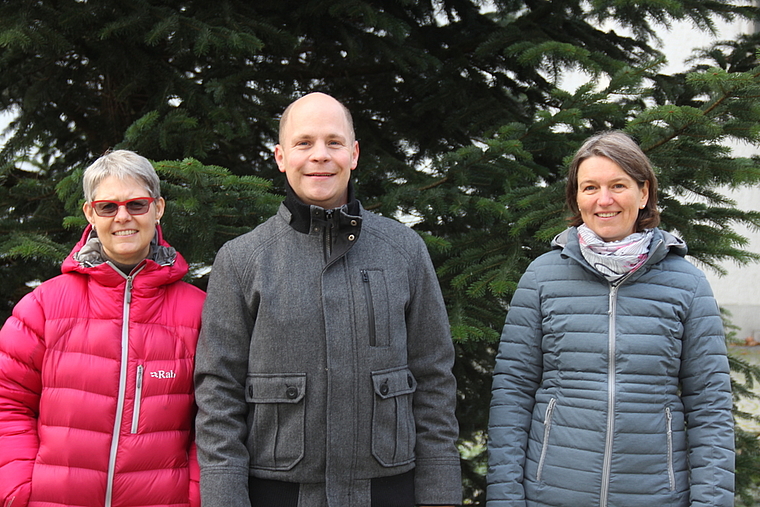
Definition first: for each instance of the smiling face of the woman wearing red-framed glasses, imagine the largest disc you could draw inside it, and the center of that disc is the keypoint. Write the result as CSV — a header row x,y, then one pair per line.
x,y
125,238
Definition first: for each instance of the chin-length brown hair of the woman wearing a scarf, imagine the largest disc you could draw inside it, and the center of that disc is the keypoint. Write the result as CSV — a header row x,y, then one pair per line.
x,y
623,150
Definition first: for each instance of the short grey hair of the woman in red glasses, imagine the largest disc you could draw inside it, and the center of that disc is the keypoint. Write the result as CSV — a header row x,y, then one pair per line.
x,y
121,164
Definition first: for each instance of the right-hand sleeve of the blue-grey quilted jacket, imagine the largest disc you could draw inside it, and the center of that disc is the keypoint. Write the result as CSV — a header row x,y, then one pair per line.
x,y
706,395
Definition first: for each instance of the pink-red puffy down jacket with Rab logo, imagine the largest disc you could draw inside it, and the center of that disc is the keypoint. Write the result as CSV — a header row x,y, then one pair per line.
x,y
96,389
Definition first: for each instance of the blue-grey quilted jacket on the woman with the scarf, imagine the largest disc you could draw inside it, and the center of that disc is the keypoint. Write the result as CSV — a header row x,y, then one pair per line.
x,y
612,395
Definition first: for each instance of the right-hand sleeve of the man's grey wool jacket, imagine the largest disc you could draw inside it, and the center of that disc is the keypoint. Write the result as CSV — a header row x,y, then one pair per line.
x,y
431,358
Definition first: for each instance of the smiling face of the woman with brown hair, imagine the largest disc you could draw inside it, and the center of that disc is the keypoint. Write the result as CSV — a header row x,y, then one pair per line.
x,y
608,198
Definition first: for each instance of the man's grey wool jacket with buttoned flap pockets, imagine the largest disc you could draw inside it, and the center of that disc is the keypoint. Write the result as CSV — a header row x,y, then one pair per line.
x,y
325,357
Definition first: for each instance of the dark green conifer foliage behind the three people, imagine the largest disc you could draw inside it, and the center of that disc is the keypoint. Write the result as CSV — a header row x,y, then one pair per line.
x,y
463,130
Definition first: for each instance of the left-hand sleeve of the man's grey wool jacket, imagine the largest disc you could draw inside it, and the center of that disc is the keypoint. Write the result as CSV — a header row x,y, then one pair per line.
x,y
220,374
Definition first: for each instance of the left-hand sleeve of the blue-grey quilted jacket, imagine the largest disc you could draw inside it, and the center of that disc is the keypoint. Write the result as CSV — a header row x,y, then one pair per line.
x,y
517,374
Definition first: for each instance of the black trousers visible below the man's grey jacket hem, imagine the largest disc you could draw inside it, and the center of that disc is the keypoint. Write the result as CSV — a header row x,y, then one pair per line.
x,y
393,491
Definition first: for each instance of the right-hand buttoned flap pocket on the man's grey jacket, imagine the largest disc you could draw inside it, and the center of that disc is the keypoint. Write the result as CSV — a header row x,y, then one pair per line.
x,y
393,430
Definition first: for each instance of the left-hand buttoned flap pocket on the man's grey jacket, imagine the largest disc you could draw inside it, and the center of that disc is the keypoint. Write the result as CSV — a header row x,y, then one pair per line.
x,y
276,438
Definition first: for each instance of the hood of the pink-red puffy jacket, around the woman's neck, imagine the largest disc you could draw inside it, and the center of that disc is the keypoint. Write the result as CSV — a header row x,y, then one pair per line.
x,y
166,264
